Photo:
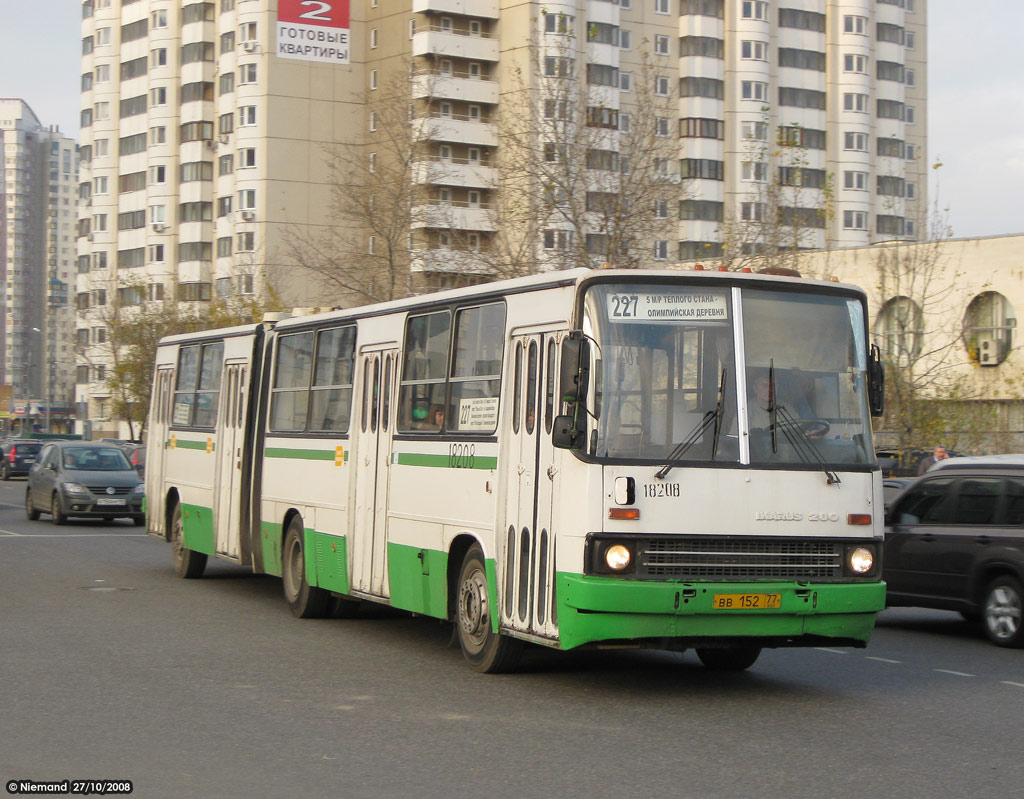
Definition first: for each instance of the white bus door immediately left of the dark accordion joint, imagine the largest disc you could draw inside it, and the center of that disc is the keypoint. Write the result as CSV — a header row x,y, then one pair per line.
x,y
231,423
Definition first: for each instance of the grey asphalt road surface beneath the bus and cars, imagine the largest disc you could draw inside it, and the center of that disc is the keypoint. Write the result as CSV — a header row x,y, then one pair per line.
x,y
115,669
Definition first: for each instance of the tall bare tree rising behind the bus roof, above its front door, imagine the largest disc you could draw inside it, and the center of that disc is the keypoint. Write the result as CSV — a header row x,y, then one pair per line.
x,y
583,182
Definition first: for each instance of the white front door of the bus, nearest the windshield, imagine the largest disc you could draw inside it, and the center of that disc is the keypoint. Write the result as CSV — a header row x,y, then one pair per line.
x,y
528,546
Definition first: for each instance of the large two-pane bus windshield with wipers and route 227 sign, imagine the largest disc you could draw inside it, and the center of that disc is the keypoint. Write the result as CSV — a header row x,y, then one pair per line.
x,y
667,387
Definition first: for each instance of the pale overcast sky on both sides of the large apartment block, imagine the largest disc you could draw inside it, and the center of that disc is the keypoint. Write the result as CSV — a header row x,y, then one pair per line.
x,y
975,92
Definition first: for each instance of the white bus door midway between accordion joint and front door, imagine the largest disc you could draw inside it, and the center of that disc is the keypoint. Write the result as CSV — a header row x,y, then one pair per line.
x,y
372,426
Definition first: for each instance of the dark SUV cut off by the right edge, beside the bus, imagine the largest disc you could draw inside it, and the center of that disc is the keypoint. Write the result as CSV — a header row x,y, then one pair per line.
x,y
955,540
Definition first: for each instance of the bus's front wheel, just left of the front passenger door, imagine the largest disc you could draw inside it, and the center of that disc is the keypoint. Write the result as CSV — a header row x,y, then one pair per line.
x,y
487,651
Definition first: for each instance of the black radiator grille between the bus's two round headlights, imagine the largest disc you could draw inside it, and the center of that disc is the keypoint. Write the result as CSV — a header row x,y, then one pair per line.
x,y
707,559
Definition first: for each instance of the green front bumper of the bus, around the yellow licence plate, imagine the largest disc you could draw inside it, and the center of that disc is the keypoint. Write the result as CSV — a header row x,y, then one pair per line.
x,y
678,615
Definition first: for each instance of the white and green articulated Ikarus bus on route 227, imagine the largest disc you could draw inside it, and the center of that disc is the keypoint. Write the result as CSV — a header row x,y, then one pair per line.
x,y
587,458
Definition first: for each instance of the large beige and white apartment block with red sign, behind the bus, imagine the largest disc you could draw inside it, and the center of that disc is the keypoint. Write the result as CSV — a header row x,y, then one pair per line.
x,y
208,128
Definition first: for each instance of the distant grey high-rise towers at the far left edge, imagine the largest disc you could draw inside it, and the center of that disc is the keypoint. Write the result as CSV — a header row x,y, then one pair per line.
x,y
38,211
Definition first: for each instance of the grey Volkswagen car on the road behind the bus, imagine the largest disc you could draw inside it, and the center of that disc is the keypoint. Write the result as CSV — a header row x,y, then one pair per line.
x,y
84,479
